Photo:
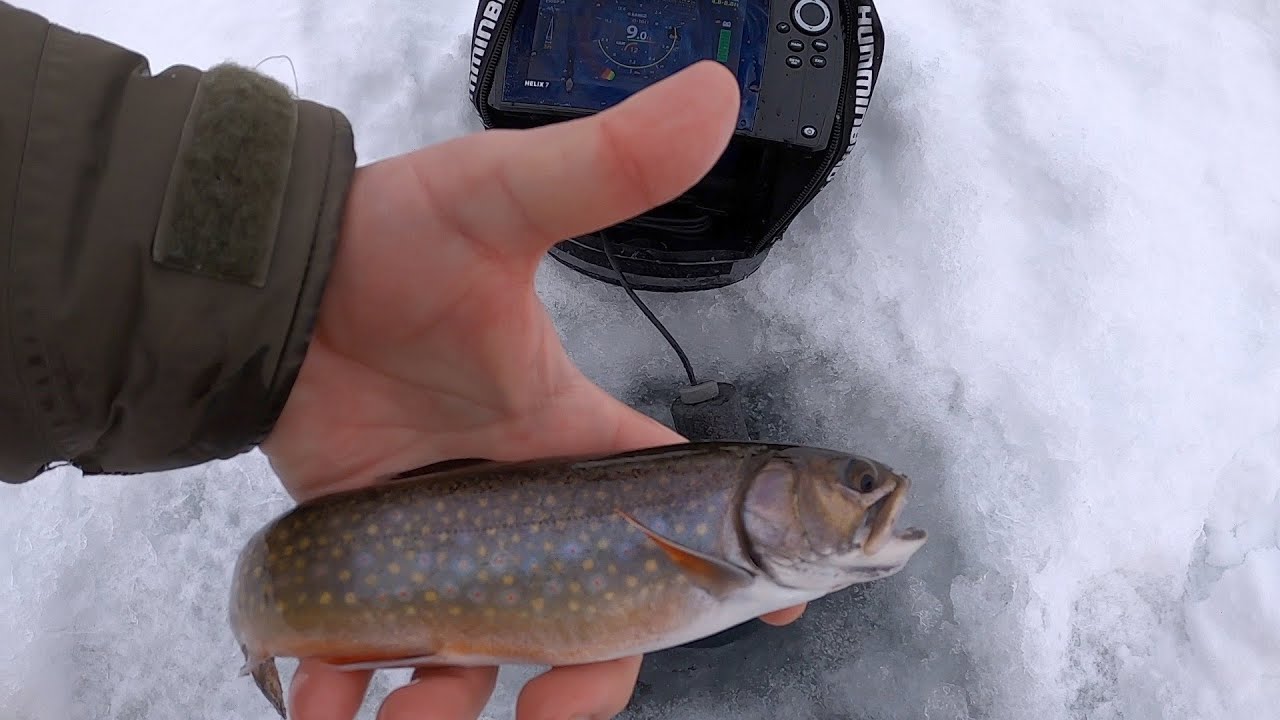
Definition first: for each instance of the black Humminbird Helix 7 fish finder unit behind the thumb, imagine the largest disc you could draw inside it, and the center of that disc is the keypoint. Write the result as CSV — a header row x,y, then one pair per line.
x,y
806,69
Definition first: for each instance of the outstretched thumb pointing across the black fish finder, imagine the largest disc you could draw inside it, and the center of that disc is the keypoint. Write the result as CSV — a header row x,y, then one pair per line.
x,y
523,192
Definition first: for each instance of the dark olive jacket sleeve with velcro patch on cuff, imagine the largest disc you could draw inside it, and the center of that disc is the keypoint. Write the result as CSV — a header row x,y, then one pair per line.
x,y
164,243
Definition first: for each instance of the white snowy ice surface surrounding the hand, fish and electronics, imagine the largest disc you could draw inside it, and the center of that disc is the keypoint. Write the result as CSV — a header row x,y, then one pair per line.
x,y
1048,288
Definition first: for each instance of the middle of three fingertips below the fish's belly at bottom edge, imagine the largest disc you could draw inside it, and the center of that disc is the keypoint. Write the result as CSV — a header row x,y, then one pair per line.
x,y
441,694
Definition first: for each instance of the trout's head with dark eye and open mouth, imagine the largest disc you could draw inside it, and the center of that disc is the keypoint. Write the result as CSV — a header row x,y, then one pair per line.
x,y
822,521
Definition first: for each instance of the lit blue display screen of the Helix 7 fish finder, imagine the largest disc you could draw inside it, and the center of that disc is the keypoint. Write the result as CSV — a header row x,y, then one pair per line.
x,y
591,54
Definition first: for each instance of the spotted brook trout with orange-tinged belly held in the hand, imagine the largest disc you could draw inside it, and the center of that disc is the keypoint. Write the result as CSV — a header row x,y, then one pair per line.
x,y
561,560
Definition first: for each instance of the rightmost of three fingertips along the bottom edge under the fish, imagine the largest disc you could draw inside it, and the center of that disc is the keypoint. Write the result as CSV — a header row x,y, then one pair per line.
x,y
598,691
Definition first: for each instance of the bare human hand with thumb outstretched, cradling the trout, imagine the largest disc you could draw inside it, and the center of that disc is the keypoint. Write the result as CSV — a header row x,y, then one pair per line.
x,y
432,343
